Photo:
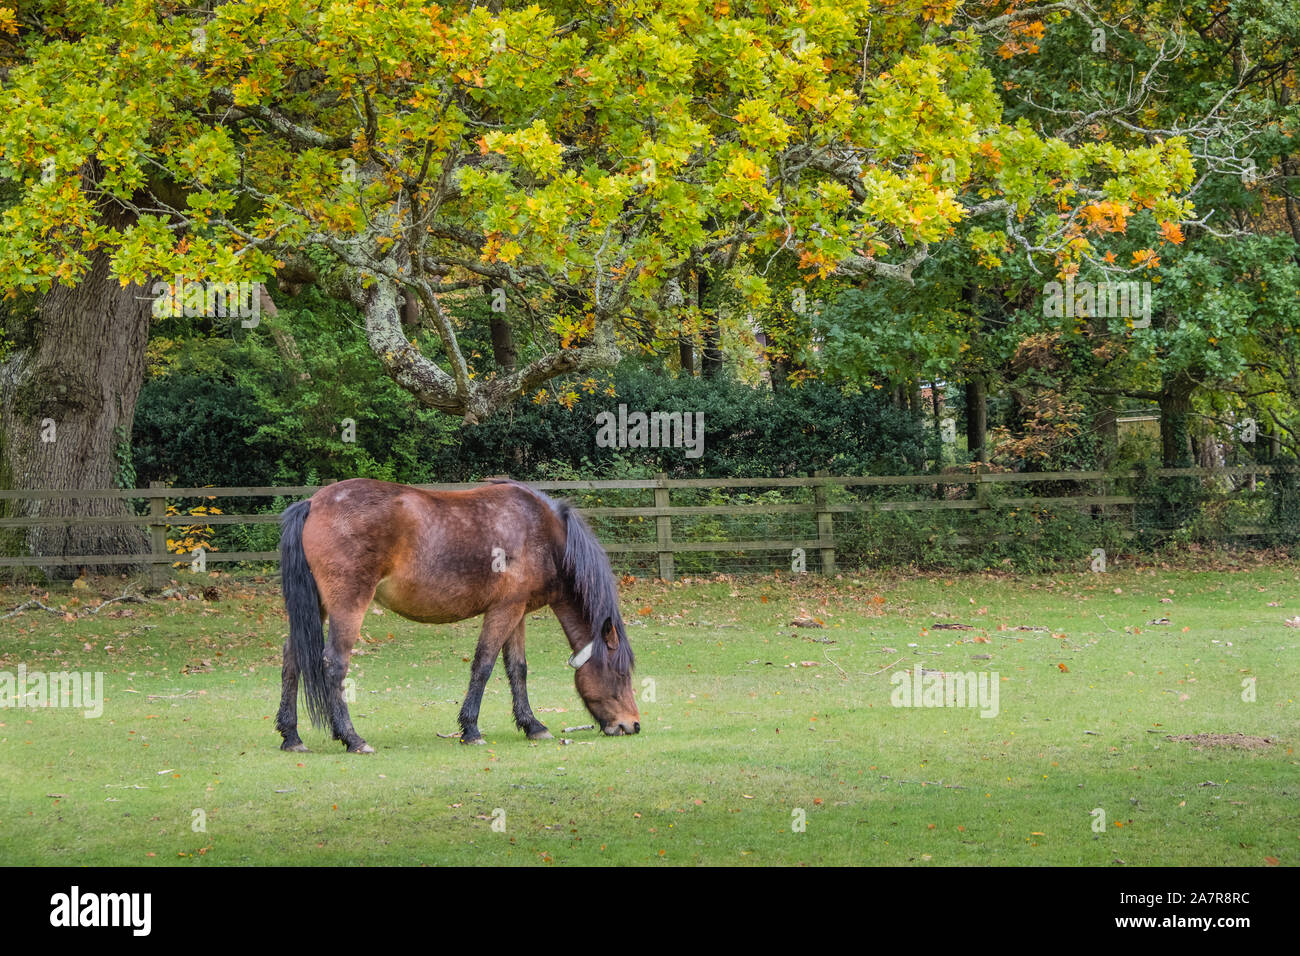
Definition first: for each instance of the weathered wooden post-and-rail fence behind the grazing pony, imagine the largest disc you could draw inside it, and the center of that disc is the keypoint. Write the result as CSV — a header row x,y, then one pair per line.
x,y
824,543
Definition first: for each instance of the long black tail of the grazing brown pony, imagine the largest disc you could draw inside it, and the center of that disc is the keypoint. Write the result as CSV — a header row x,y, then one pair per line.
x,y
304,603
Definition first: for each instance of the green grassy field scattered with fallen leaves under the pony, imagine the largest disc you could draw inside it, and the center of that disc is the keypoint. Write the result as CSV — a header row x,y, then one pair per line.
x,y
762,743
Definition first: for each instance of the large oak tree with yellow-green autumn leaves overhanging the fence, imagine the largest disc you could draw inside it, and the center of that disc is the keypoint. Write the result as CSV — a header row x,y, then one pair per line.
x,y
579,162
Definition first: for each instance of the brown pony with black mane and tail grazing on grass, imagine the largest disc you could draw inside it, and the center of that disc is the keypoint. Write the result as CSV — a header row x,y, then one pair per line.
x,y
501,551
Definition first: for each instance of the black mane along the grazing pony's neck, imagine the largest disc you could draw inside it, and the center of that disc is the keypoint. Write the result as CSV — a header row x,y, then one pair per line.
x,y
591,582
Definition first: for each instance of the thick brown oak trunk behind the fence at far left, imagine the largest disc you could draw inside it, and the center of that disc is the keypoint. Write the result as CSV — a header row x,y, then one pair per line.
x,y
70,403
